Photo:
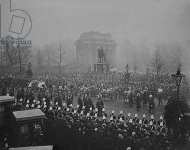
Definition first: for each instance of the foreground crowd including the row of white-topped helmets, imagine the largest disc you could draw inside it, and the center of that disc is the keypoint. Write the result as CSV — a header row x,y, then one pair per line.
x,y
83,126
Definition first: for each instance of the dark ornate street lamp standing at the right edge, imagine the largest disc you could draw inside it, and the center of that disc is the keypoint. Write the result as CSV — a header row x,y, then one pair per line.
x,y
178,78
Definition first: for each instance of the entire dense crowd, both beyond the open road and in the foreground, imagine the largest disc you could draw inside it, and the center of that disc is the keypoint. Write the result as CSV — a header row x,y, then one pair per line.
x,y
89,125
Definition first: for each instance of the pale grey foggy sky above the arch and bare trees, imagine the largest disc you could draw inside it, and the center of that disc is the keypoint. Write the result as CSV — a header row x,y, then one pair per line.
x,y
139,27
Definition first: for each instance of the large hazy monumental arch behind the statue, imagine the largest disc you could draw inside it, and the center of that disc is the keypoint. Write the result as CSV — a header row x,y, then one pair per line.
x,y
88,46
